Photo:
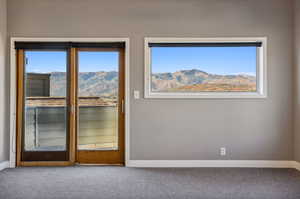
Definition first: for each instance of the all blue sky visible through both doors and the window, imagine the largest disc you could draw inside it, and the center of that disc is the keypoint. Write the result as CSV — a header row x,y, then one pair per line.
x,y
215,60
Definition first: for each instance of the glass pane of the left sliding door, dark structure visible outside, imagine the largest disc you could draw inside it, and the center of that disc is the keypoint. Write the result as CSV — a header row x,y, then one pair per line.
x,y
45,101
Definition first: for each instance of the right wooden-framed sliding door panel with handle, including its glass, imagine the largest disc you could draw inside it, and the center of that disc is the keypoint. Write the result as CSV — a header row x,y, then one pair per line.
x,y
100,113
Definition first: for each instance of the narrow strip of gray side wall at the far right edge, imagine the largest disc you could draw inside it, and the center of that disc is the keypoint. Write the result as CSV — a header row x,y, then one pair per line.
x,y
297,78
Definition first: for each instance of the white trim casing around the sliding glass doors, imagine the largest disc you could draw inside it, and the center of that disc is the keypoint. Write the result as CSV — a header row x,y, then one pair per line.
x,y
13,100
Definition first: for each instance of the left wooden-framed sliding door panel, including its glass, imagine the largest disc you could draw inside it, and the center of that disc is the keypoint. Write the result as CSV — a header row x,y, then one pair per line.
x,y
43,113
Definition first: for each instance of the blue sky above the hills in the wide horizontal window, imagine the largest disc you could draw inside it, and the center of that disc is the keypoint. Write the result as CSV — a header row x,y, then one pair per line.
x,y
215,60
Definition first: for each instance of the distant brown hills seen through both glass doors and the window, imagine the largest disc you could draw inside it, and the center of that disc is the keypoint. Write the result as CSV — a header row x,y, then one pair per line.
x,y
106,83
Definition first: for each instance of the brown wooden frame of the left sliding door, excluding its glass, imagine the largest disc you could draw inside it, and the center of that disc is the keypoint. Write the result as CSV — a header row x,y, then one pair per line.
x,y
20,116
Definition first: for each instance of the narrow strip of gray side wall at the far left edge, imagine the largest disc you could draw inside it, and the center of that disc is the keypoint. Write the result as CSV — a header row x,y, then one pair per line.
x,y
4,143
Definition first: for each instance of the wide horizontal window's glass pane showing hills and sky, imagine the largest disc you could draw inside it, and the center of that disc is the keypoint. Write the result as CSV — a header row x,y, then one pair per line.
x,y
203,69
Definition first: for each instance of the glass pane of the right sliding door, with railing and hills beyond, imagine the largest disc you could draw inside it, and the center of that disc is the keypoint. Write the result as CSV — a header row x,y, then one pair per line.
x,y
98,85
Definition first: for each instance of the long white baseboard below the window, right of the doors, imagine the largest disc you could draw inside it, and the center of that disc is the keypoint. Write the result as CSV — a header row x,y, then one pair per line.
x,y
212,163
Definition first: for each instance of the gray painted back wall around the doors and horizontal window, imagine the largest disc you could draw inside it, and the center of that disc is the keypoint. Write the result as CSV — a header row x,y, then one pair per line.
x,y
185,129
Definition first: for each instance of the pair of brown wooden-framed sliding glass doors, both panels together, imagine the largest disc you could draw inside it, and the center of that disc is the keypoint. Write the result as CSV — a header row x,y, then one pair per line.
x,y
70,103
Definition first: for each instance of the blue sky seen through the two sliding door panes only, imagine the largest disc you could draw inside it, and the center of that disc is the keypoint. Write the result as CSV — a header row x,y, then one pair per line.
x,y
55,61
